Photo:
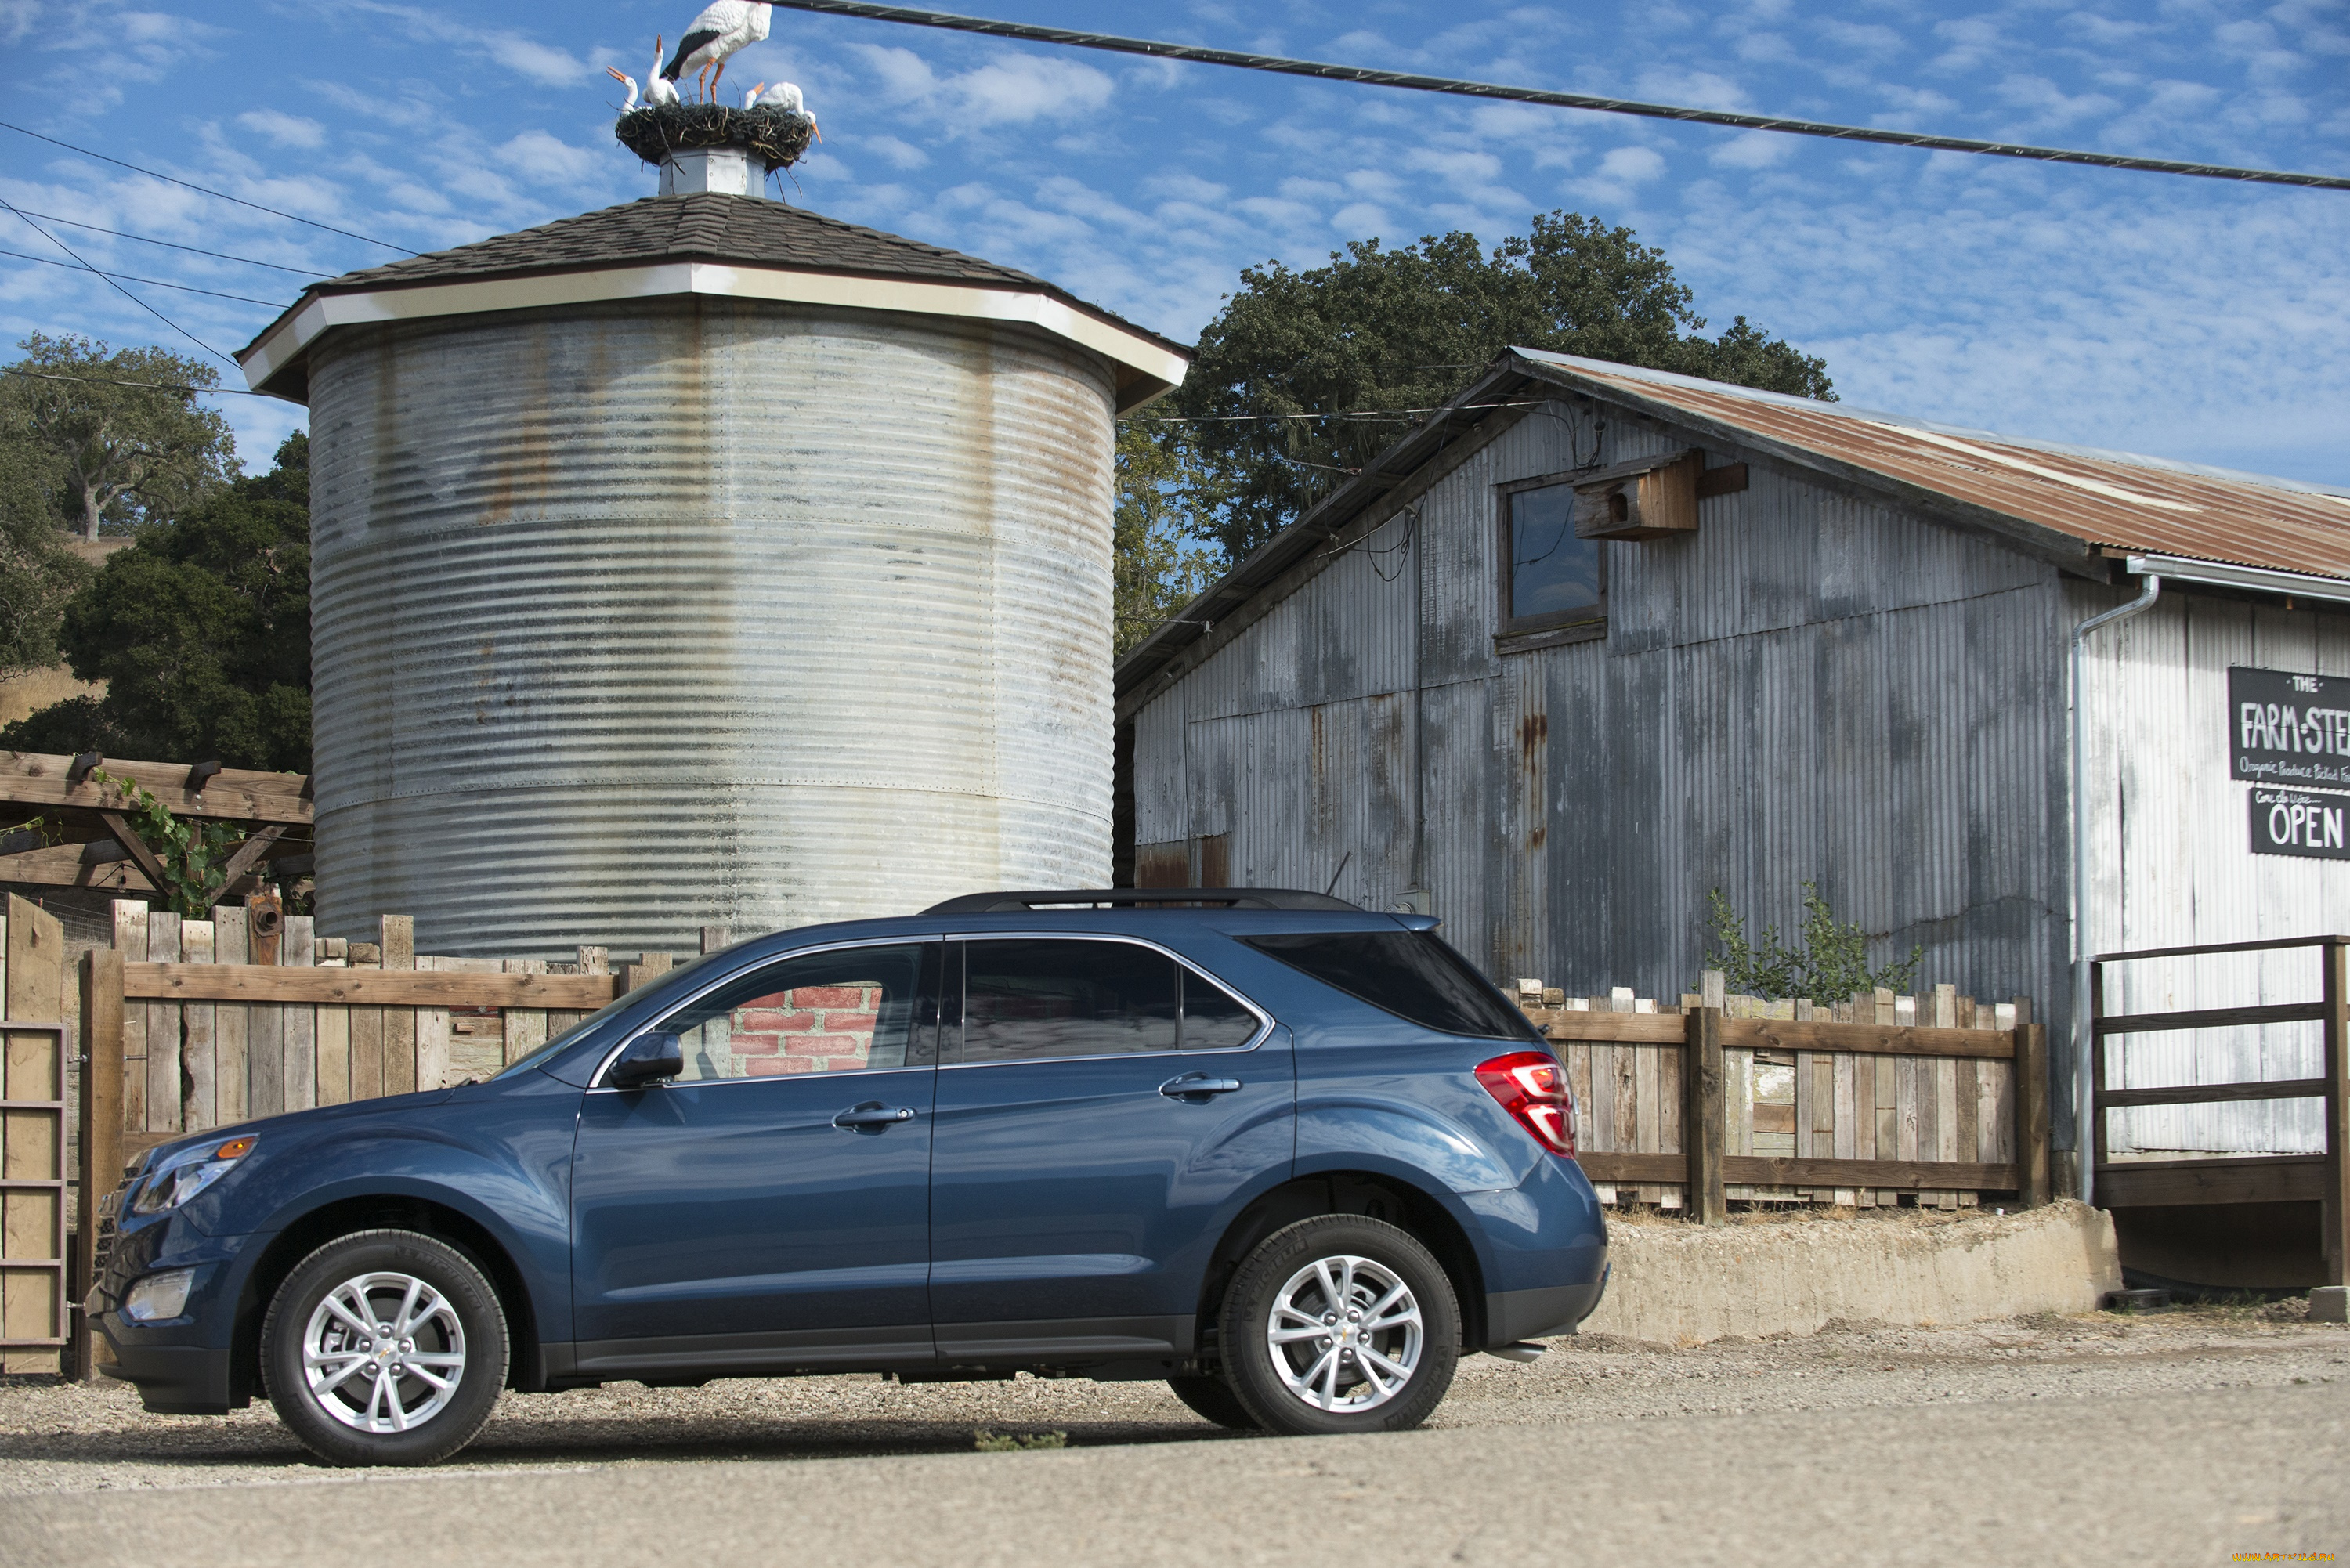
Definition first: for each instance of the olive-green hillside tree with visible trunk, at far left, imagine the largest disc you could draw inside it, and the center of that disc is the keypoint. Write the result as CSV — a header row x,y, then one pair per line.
x,y
116,455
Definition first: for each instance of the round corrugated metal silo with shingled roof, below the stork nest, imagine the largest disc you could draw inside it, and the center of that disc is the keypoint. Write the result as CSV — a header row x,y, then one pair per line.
x,y
704,563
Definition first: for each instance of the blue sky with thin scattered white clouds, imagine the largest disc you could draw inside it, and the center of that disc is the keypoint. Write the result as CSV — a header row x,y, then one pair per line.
x,y
2182,319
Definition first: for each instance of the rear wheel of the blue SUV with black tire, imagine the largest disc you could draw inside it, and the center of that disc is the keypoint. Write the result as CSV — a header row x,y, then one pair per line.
x,y
1385,1259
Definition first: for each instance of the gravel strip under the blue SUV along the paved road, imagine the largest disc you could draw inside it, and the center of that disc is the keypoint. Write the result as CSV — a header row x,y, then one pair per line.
x,y
93,1438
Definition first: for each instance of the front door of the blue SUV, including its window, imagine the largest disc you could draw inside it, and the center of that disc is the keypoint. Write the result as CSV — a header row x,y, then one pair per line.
x,y
767,1209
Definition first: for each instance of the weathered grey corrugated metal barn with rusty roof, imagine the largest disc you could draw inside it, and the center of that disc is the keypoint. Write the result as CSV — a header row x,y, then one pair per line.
x,y
1597,641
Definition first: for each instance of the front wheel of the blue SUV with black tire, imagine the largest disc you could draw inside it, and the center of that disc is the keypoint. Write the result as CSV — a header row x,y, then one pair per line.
x,y
459,1329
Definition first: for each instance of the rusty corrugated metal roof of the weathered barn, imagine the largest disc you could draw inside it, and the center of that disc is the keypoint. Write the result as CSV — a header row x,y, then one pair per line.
x,y
2107,500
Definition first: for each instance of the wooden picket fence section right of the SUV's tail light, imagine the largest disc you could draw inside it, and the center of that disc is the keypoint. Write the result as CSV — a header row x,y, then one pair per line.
x,y
1867,1104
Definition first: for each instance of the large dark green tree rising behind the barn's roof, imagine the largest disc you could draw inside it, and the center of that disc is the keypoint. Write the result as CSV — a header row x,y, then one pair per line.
x,y
1381,335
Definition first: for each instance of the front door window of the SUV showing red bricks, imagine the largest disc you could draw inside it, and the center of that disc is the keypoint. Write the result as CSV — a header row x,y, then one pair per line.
x,y
824,1012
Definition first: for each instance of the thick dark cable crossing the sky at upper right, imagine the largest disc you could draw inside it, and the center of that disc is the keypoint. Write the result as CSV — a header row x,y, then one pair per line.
x,y
1557,100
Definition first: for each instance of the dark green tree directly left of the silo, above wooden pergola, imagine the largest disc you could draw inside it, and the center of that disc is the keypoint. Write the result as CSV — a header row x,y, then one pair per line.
x,y
201,631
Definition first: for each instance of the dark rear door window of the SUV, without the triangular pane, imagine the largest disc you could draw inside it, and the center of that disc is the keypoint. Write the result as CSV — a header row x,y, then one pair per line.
x,y
1061,998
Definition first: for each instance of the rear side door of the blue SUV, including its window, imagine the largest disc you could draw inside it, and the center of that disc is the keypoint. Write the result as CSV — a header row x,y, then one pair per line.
x,y
1103,1111
